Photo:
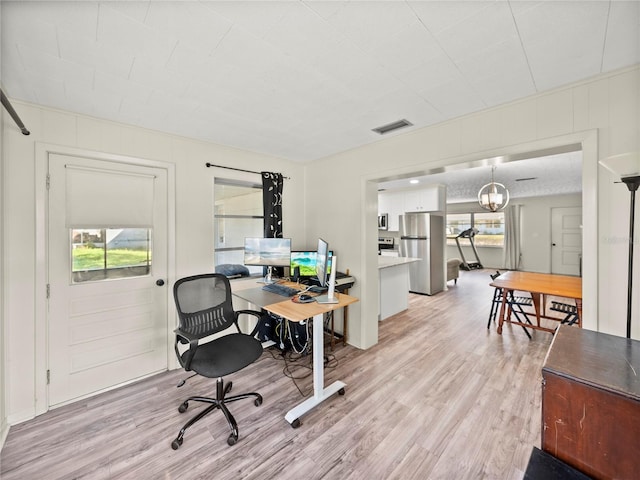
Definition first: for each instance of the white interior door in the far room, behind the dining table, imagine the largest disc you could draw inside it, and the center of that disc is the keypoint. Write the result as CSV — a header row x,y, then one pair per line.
x,y
566,240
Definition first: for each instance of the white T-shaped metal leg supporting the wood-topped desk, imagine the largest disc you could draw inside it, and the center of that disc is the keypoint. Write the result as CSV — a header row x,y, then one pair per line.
x,y
320,394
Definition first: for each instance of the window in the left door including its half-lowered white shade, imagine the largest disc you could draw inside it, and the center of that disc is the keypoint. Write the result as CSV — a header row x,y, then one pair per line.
x,y
108,237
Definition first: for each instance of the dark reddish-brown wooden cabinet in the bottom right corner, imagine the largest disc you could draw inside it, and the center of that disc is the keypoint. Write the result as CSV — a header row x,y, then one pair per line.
x,y
591,403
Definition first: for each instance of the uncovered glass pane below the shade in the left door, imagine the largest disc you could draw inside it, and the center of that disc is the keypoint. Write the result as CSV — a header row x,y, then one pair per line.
x,y
108,253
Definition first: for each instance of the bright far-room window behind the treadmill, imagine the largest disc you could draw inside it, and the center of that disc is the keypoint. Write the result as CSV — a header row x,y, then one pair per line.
x,y
490,226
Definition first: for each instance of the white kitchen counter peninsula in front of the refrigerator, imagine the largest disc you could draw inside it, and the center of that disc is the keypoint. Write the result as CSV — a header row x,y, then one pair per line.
x,y
394,284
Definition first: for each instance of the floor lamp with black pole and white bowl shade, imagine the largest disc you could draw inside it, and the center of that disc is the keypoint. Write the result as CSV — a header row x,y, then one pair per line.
x,y
627,167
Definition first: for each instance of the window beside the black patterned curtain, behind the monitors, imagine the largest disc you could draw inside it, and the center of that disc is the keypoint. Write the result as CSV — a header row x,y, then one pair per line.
x,y
238,213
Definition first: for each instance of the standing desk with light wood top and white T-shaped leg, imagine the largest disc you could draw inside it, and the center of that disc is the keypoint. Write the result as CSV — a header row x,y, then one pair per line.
x,y
297,312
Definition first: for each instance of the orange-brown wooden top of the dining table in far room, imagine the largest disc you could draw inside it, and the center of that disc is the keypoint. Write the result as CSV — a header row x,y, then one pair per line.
x,y
546,283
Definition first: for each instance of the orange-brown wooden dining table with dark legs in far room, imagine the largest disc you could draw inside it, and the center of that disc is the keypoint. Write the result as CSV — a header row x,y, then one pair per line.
x,y
538,285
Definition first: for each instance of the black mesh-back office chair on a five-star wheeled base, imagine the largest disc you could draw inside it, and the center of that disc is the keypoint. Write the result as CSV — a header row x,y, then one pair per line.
x,y
205,308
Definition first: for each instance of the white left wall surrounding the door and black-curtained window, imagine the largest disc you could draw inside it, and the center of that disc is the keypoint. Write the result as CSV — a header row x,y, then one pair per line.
x,y
23,194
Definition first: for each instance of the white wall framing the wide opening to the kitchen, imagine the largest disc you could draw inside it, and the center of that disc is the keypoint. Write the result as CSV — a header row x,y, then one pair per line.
x,y
600,114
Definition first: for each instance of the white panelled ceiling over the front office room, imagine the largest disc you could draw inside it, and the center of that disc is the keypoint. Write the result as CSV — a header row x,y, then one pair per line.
x,y
303,79
